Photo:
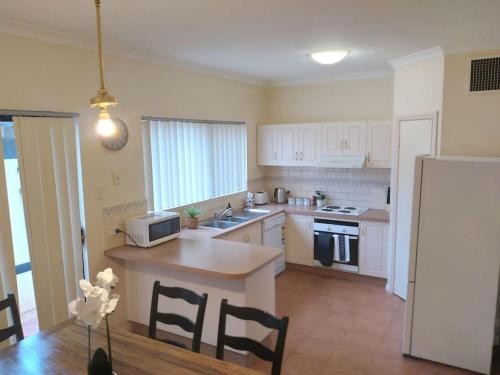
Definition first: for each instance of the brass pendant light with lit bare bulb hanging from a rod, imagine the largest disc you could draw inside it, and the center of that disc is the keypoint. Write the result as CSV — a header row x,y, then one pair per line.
x,y
103,100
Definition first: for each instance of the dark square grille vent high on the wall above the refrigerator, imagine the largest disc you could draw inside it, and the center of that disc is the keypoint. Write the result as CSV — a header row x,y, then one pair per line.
x,y
484,75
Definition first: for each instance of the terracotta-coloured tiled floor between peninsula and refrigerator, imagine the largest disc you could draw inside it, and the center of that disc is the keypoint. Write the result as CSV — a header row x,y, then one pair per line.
x,y
343,327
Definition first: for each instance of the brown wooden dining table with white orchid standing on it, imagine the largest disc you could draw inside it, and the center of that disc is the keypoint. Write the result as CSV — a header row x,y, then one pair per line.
x,y
64,350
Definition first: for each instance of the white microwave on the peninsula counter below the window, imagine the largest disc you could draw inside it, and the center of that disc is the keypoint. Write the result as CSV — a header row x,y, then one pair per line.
x,y
153,228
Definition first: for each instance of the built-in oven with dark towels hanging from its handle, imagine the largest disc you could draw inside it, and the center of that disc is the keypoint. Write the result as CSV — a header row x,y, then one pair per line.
x,y
336,244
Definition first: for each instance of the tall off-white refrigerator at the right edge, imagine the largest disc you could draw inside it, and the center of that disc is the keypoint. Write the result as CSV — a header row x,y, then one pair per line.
x,y
454,262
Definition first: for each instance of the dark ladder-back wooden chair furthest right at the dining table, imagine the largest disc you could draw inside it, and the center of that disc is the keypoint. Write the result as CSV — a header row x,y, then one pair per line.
x,y
244,343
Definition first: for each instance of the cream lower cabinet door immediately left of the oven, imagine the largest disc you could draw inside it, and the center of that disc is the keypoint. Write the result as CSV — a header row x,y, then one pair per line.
x,y
299,239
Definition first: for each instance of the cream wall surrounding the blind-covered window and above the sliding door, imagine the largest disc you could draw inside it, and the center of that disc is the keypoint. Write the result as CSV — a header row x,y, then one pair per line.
x,y
37,75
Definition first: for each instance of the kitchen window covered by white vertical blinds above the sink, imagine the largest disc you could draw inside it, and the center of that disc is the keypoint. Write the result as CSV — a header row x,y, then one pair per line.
x,y
191,161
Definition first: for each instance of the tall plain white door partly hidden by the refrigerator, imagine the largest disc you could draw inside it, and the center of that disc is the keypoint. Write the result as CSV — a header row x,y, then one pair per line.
x,y
417,136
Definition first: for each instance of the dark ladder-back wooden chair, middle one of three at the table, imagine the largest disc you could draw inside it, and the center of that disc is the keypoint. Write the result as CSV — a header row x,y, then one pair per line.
x,y
175,319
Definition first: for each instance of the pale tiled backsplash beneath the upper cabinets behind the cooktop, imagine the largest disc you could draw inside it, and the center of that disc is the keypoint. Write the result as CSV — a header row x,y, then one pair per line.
x,y
358,187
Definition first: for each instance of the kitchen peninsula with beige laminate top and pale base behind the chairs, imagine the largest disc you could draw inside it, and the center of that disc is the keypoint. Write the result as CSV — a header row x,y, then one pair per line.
x,y
243,273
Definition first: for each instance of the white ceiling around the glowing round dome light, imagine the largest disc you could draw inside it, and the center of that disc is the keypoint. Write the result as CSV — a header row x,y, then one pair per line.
x,y
266,41
